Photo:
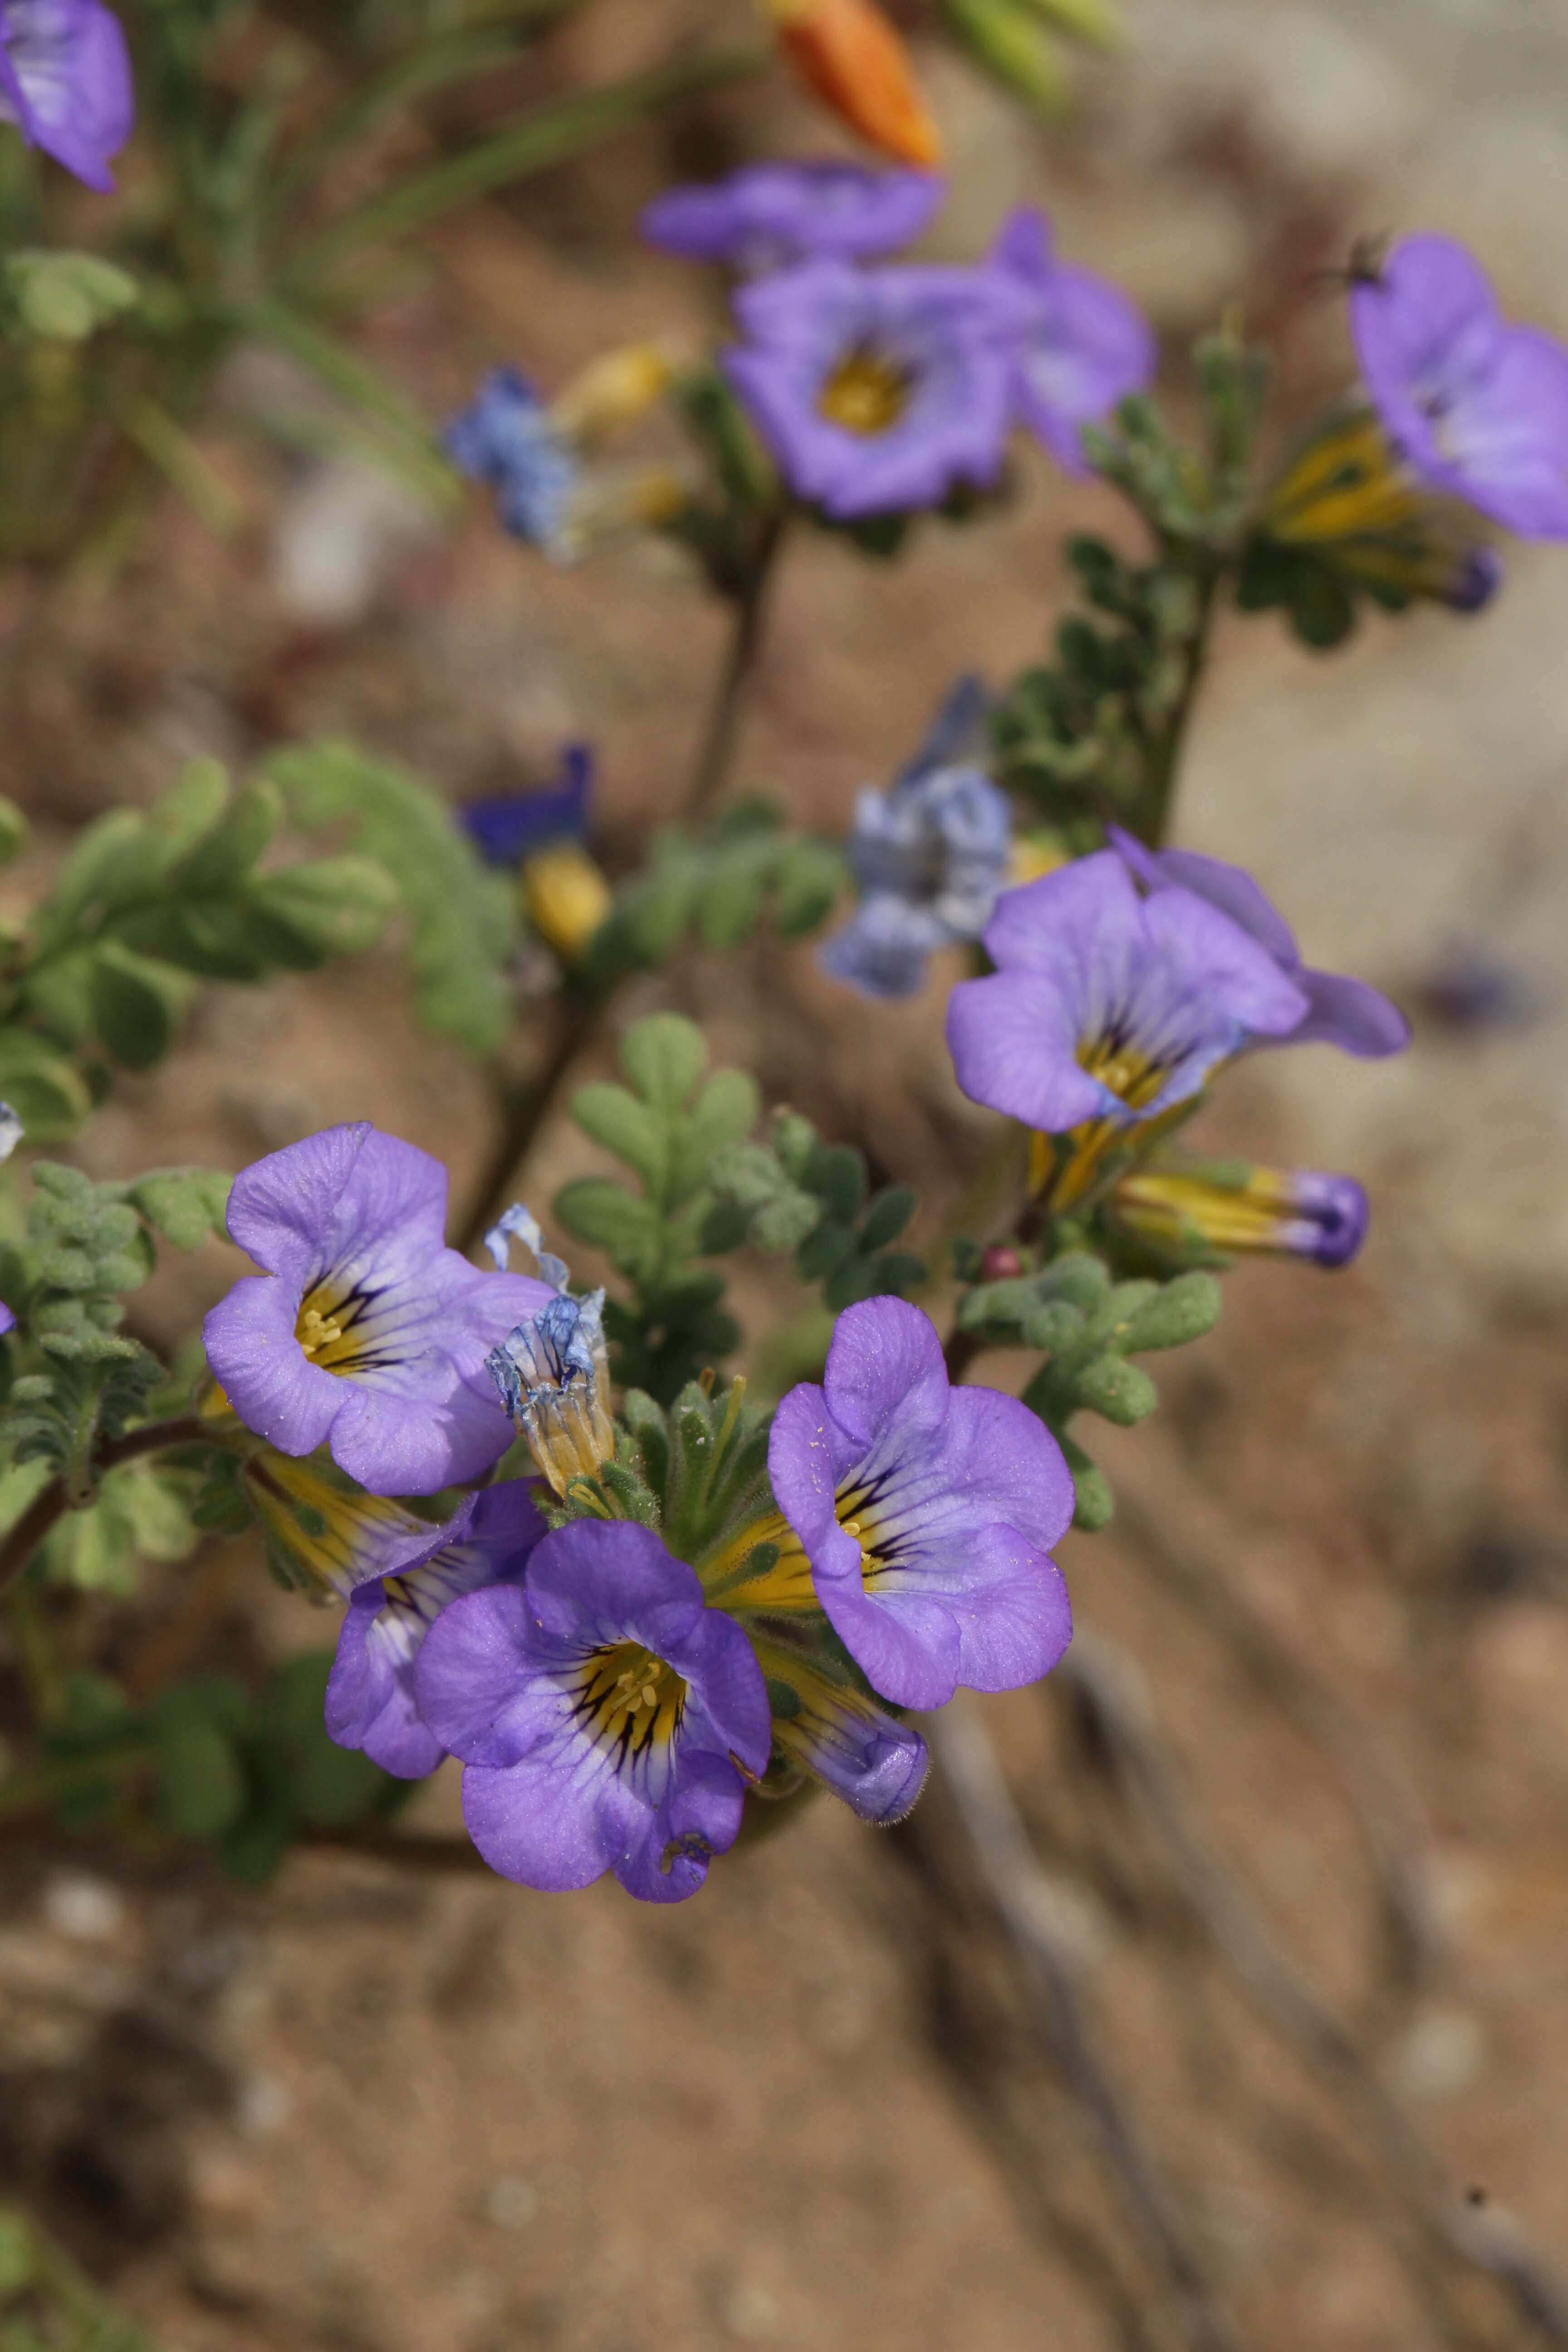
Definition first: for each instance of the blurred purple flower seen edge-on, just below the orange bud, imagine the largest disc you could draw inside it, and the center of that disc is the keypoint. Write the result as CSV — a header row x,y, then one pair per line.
x,y
779,213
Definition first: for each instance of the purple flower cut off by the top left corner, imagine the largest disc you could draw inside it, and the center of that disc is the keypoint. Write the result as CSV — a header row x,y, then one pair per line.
x,y
67,83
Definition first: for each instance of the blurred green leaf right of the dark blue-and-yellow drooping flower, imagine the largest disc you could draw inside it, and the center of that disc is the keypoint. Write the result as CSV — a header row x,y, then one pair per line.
x,y
718,883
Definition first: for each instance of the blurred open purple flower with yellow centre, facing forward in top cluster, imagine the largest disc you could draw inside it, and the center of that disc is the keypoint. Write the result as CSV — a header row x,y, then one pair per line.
x,y
878,392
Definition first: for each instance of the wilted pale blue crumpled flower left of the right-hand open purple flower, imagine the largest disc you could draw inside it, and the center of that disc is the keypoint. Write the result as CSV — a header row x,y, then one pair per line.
x,y
930,857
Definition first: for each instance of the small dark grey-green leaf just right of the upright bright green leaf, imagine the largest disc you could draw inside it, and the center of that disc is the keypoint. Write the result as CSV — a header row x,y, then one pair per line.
x,y
798,1194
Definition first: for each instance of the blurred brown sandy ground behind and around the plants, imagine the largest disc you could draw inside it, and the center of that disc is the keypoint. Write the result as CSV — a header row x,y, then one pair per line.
x,y
434,2113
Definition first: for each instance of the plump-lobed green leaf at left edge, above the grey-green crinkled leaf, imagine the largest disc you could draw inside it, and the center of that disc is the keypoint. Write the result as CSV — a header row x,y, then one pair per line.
x,y
147,904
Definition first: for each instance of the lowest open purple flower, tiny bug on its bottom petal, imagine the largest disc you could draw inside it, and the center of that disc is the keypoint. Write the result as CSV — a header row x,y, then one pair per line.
x,y
605,1716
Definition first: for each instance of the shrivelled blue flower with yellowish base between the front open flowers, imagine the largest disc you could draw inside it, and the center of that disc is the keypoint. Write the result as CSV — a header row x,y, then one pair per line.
x,y
554,1370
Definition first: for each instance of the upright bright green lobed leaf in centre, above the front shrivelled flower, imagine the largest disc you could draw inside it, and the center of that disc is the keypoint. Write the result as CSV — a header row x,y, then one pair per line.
x,y
666,1128
